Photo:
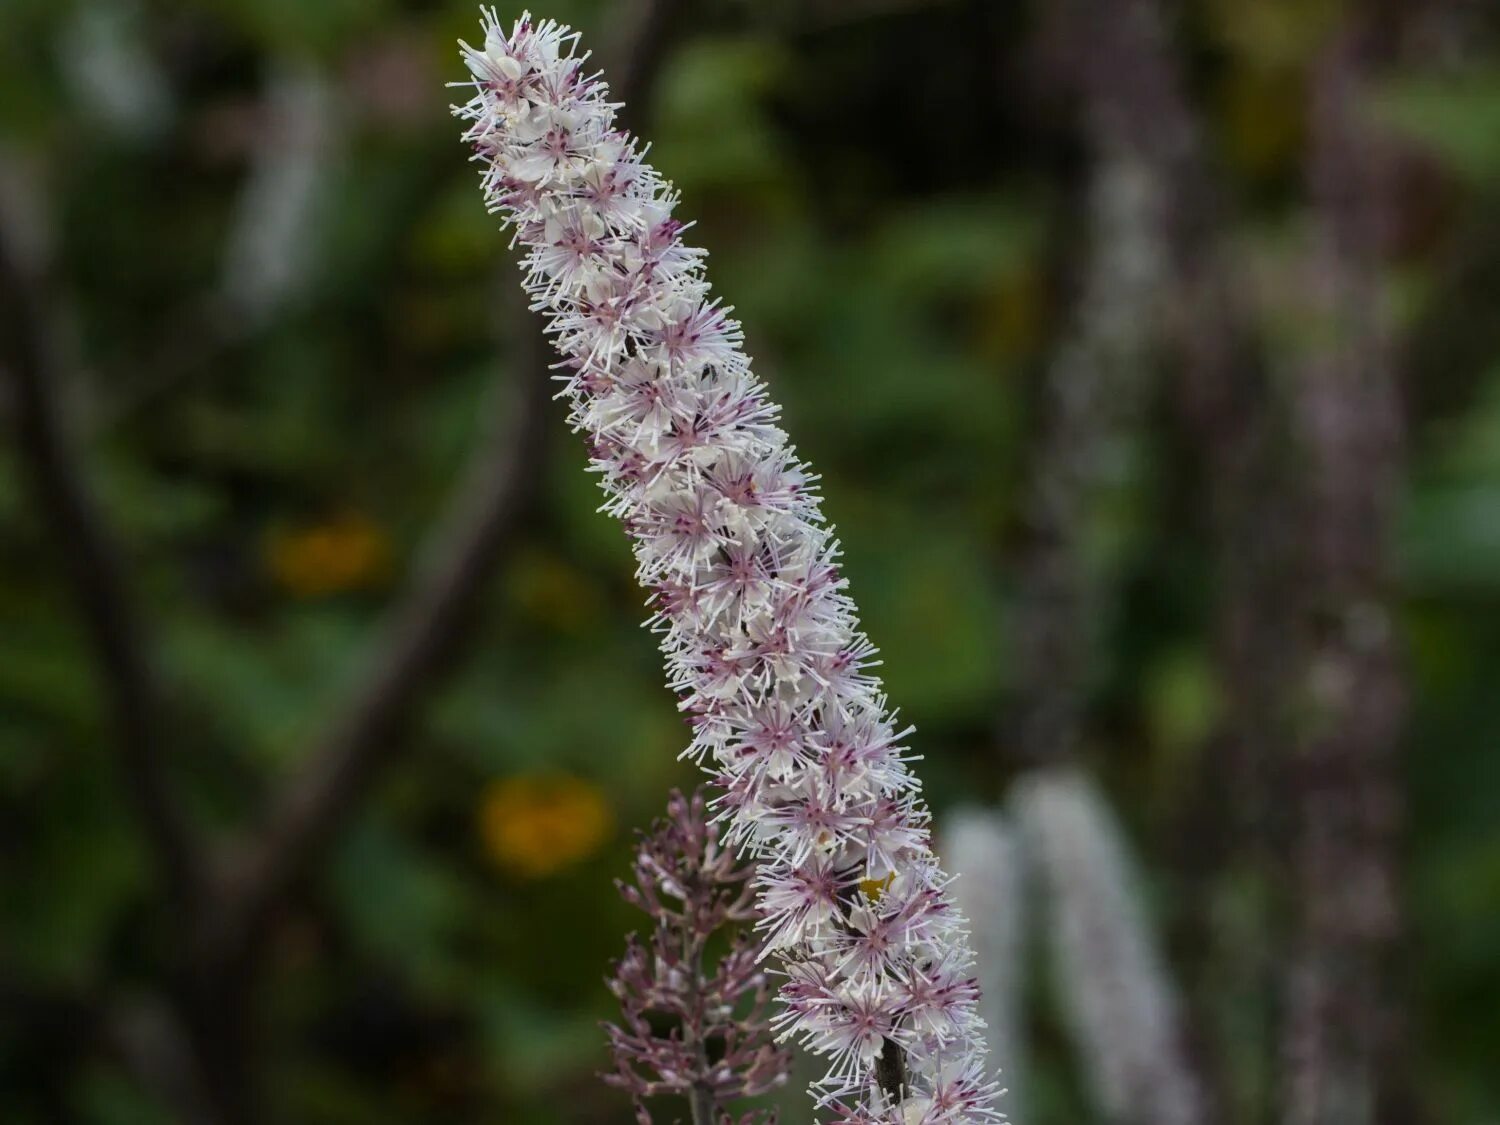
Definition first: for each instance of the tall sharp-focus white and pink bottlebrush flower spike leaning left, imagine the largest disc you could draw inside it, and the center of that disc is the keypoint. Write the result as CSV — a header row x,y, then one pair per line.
x,y
761,640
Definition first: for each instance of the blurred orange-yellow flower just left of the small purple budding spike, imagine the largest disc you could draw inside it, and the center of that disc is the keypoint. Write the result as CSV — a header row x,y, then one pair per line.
x,y
539,824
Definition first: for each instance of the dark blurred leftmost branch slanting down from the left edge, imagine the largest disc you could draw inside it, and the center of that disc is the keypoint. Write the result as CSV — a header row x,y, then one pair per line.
x,y
34,364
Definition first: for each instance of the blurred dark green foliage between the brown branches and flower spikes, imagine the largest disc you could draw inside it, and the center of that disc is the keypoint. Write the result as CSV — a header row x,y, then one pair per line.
x,y
892,221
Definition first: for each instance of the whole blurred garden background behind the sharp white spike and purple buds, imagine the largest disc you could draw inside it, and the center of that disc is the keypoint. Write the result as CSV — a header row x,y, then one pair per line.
x,y
1151,358
